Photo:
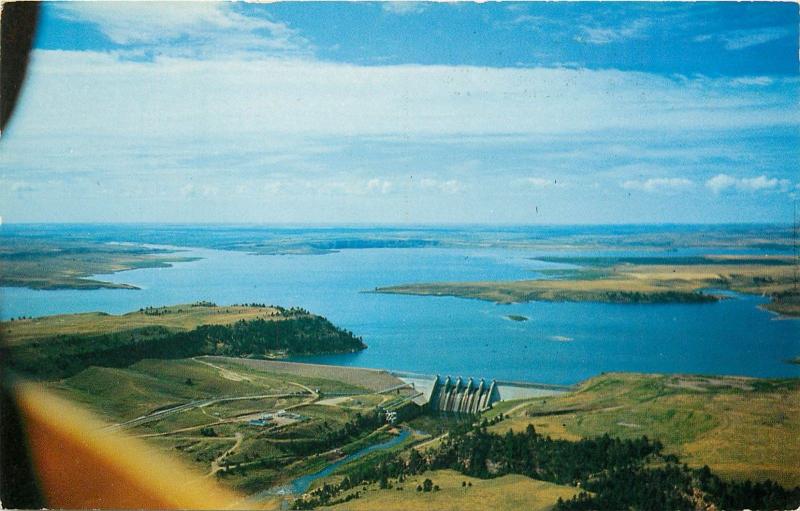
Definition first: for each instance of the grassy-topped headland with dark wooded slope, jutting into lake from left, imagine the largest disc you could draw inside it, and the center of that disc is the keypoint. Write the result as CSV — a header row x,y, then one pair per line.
x,y
61,346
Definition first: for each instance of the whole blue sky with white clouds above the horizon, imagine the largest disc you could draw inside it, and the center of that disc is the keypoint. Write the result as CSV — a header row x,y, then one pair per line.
x,y
405,112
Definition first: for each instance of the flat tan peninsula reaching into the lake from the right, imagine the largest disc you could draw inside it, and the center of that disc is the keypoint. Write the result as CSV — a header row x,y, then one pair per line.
x,y
636,280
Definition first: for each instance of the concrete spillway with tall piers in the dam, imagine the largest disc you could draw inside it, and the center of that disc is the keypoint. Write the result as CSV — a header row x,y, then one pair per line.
x,y
460,396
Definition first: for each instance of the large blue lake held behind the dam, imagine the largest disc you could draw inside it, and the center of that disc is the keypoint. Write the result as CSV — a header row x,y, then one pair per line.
x,y
561,343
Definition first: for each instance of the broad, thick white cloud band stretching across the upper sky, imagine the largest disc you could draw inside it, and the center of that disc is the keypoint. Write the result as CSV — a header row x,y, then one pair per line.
x,y
80,92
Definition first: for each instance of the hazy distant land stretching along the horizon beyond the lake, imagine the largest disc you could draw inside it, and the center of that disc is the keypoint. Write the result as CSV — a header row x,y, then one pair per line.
x,y
61,256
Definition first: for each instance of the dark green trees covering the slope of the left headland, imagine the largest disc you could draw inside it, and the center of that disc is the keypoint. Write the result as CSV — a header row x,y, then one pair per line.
x,y
64,355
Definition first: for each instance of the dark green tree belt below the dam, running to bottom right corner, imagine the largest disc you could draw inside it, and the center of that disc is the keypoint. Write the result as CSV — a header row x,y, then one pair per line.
x,y
612,473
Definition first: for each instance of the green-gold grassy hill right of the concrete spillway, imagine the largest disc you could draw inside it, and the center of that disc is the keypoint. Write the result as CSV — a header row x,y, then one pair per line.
x,y
743,428
